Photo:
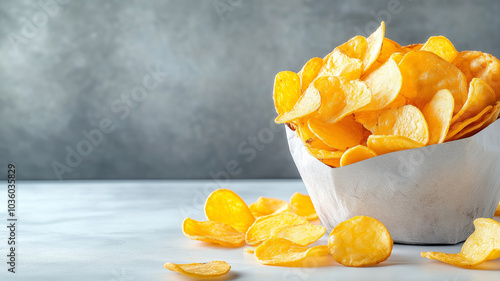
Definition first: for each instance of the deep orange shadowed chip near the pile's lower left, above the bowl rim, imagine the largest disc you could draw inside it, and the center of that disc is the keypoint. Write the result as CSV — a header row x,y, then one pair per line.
x,y
341,135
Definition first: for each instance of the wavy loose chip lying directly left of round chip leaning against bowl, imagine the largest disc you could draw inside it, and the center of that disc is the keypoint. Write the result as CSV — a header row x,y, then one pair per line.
x,y
279,251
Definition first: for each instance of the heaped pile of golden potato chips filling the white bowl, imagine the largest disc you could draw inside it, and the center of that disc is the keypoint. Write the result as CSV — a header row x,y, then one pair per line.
x,y
371,96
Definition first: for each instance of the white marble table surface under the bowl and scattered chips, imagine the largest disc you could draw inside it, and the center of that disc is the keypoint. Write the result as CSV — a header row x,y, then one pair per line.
x,y
127,230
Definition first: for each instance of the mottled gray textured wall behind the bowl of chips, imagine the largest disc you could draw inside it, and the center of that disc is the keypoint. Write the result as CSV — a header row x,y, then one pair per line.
x,y
65,68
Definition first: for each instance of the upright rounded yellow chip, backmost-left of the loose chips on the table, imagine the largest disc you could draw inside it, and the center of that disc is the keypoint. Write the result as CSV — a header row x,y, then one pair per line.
x,y
225,206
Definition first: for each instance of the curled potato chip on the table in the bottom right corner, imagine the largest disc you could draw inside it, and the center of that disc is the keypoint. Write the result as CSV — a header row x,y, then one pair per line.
x,y
482,245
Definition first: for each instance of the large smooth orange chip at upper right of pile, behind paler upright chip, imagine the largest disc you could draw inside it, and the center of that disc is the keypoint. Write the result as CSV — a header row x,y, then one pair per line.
x,y
425,73
